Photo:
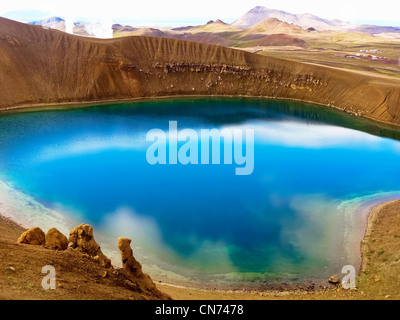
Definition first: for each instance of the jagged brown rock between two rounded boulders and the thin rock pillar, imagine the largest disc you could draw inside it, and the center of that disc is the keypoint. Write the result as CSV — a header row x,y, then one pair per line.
x,y
82,239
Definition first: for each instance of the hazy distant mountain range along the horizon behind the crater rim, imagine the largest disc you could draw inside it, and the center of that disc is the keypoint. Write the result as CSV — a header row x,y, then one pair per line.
x,y
258,27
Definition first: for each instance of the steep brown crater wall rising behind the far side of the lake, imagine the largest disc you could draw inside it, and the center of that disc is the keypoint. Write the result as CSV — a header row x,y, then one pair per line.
x,y
39,66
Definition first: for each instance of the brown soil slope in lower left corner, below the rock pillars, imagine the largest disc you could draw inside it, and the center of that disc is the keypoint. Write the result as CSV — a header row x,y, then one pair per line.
x,y
78,277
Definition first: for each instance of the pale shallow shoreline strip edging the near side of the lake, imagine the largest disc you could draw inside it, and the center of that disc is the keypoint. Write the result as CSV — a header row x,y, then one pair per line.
x,y
53,218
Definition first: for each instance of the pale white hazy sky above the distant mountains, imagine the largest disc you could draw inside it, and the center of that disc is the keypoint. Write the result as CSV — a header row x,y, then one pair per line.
x,y
200,11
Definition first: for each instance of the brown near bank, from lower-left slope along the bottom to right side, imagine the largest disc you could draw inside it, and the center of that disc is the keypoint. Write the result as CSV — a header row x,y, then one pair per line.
x,y
79,277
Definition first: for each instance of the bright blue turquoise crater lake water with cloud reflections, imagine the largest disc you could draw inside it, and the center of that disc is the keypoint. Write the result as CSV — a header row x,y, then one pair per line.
x,y
285,221
